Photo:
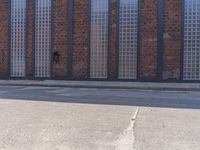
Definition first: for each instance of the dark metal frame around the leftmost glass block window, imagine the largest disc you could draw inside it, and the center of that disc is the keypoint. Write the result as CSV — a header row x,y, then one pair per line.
x,y
9,41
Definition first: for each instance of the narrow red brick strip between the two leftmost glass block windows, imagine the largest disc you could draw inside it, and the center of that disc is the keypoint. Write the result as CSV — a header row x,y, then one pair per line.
x,y
29,54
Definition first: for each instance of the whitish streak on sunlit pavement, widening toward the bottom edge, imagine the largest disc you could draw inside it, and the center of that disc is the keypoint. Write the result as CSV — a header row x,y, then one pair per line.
x,y
127,139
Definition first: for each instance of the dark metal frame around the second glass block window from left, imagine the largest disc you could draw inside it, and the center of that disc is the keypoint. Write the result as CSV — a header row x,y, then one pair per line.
x,y
51,45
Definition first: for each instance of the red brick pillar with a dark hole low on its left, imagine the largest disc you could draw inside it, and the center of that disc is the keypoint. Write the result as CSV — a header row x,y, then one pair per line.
x,y
60,21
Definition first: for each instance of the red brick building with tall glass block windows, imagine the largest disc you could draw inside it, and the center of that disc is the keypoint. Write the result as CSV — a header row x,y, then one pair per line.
x,y
138,40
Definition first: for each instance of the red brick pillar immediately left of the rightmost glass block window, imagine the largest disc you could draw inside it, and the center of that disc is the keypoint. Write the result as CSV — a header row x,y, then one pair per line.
x,y
172,39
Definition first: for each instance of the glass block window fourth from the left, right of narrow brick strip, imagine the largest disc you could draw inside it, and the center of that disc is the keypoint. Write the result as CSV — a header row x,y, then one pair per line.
x,y
128,26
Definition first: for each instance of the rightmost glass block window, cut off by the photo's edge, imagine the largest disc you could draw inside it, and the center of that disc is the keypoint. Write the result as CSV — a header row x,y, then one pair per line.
x,y
191,64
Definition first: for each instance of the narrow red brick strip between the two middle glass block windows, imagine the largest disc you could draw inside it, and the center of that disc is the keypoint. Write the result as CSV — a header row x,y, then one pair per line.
x,y
113,53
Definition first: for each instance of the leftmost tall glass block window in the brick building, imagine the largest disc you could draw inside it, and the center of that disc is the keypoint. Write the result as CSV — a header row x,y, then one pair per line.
x,y
18,38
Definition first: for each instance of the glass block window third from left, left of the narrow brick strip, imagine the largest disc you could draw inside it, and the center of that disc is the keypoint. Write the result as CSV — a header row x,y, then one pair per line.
x,y
99,39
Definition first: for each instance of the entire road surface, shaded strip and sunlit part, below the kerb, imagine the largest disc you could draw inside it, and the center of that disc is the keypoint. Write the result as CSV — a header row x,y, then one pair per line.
x,y
47,118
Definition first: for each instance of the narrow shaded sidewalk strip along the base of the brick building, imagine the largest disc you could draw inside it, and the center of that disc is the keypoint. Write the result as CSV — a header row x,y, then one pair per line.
x,y
105,84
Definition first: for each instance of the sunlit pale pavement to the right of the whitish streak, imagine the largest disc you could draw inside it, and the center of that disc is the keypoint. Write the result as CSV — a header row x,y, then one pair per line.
x,y
167,129
